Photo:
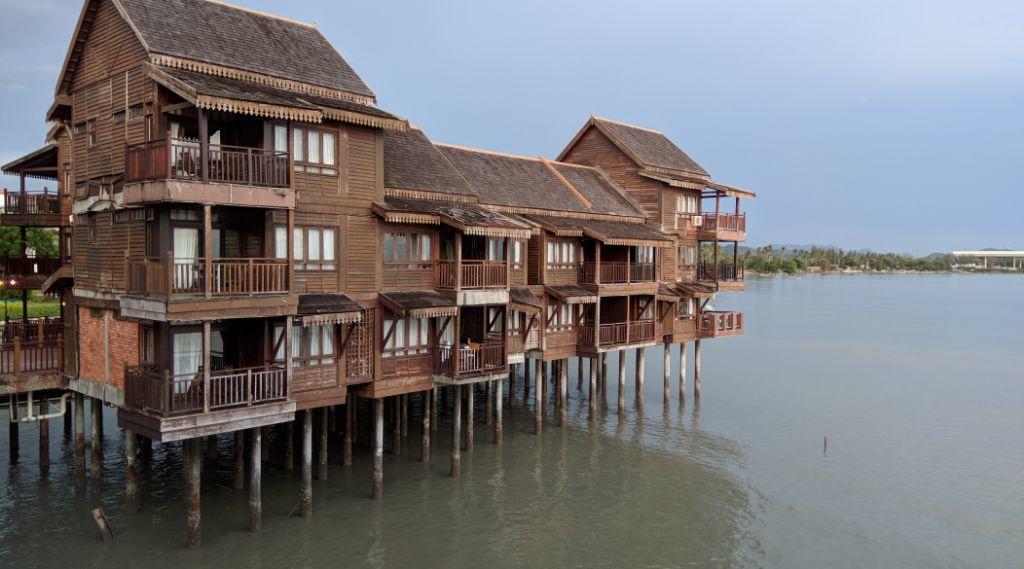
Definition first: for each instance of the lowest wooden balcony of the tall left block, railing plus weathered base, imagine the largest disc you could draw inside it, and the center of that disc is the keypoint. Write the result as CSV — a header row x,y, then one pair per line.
x,y
168,408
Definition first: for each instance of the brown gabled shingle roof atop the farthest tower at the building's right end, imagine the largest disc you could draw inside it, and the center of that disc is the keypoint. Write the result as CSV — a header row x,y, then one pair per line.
x,y
650,149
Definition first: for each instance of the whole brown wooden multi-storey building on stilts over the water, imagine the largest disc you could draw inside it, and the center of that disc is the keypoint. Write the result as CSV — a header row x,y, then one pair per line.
x,y
251,248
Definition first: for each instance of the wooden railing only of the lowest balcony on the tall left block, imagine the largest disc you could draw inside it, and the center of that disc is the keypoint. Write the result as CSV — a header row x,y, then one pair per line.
x,y
151,390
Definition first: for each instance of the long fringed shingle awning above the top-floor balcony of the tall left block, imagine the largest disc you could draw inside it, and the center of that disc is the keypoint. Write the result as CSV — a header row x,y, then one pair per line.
x,y
233,96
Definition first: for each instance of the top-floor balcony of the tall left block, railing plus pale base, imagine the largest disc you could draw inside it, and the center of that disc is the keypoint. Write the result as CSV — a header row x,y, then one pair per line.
x,y
178,170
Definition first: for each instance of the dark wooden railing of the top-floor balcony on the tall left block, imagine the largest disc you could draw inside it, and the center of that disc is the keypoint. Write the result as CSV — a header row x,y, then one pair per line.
x,y
183,159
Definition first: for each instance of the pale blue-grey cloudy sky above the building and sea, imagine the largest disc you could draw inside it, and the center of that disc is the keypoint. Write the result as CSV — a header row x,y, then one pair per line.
x,y
868,124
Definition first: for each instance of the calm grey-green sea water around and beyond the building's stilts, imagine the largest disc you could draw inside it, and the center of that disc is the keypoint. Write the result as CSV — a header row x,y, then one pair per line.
x,y
918,382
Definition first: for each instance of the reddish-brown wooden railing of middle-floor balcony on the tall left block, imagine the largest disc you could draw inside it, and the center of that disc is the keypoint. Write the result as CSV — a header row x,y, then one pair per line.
x,y
188,277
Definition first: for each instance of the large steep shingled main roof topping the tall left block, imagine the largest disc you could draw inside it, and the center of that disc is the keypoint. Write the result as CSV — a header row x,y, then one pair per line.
x,y
224,35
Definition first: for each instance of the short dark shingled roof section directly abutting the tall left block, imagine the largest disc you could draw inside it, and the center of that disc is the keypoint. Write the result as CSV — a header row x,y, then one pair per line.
x,y
413,163
